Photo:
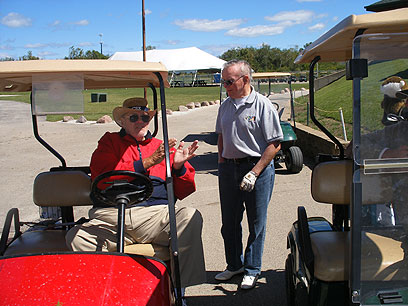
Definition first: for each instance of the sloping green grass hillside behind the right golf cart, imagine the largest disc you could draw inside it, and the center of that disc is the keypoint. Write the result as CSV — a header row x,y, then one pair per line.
x,y
339,94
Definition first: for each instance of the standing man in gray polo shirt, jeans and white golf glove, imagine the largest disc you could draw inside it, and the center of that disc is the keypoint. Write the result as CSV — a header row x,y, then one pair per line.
x,y
249,135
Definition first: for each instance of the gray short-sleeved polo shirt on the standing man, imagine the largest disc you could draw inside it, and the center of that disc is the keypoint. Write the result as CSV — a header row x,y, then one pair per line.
x,y
247,128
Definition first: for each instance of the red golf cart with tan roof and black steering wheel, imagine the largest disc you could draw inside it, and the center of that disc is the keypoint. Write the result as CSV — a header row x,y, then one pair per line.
x,y
36,267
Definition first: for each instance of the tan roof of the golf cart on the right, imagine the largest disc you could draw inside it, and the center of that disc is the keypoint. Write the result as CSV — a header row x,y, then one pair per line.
x,y
336,44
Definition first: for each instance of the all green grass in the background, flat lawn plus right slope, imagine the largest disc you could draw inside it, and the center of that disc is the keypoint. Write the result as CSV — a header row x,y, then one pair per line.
x,y
328,100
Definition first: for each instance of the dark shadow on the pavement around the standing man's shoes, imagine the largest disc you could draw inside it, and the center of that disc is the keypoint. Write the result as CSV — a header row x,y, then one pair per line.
x,y
270,290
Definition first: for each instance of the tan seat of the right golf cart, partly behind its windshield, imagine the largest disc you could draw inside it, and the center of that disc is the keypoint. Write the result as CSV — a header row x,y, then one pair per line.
x,y
331,184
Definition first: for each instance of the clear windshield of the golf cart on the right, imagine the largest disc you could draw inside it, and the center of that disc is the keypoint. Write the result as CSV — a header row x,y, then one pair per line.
x,y
380,147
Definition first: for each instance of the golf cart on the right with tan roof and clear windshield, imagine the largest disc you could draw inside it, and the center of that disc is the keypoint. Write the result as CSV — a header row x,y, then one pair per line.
x,y
356,258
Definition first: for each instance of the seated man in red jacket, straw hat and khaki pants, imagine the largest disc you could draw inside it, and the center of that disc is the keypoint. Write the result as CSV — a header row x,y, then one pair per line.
x,y
133,148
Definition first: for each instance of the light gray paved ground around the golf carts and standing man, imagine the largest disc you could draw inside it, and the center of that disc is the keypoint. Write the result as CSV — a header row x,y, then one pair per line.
x,y
22,158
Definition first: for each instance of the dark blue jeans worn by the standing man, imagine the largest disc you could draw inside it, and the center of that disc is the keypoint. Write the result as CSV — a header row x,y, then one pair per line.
x,y
233,203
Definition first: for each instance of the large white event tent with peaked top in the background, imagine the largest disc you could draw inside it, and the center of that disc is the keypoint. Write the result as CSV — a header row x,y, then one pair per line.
x,y
176,60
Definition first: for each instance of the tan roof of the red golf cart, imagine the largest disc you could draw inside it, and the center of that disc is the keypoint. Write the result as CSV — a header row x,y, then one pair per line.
x,y
16,76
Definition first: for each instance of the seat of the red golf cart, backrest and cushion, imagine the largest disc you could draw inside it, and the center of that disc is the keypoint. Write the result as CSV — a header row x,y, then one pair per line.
x,y
65,189
